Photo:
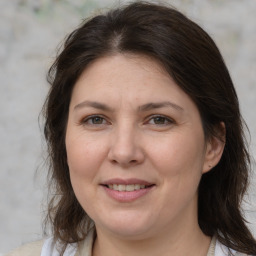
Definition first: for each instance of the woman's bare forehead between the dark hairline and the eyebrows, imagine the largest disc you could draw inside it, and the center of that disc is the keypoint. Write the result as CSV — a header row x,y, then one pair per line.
x,y
127,79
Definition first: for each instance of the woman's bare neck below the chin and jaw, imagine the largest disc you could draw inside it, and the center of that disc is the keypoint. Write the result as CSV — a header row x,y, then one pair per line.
x,y
181,236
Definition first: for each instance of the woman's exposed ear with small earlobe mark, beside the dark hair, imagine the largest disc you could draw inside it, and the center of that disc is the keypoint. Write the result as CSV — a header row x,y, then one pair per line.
x,y
214,147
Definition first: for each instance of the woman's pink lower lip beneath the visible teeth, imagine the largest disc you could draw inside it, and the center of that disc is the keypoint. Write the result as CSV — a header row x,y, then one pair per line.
x,y
127,196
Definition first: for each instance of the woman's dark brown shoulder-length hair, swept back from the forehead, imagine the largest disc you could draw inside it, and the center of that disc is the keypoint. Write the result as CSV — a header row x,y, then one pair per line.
x,y
192,59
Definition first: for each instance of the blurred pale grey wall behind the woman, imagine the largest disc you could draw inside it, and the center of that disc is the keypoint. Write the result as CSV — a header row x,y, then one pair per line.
x,y
30,31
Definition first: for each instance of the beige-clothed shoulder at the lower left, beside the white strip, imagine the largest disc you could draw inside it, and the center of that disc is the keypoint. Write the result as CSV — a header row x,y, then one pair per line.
x,y
30,249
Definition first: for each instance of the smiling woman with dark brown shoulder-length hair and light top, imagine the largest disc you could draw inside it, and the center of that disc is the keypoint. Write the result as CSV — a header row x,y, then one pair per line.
x,y
146,141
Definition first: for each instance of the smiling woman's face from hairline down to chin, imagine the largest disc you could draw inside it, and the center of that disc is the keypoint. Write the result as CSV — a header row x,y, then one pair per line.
x,y
136,148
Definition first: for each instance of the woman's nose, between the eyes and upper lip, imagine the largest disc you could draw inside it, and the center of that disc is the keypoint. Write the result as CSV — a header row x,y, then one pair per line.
x,y
126,149
